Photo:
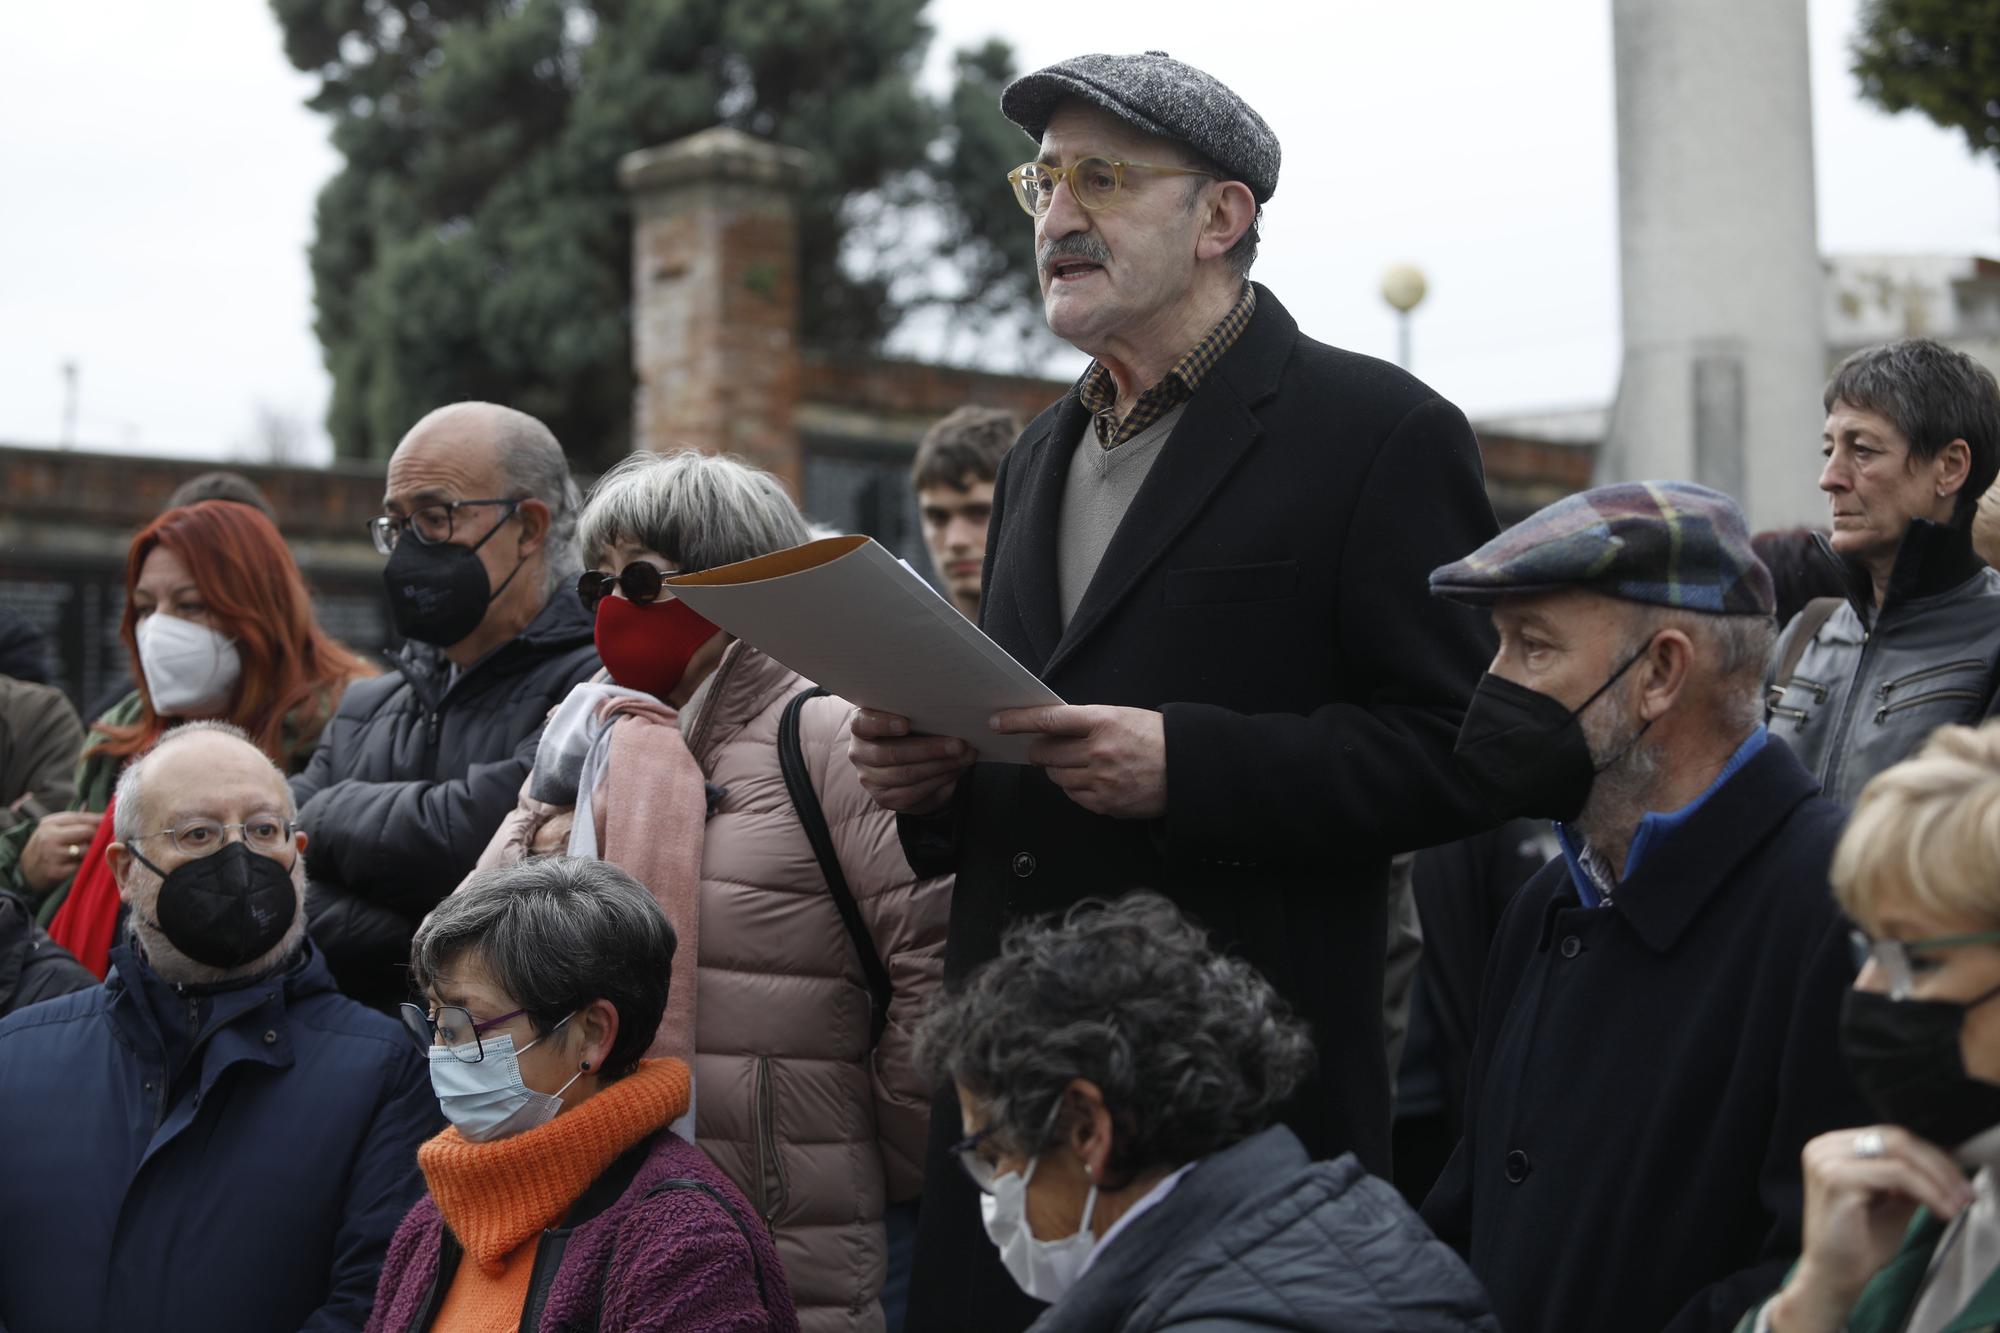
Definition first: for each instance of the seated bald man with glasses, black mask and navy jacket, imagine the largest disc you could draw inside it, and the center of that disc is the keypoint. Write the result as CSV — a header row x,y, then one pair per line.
x,y
215,1138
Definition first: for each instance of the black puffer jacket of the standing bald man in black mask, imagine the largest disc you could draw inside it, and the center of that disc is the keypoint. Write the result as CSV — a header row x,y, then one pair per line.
x,y
411,782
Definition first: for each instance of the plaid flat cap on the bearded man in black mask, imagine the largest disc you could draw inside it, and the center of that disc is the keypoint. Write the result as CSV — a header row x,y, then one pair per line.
x,y
1663,543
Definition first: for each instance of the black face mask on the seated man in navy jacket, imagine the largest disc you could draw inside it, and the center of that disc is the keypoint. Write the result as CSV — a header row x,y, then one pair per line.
x,y
225,910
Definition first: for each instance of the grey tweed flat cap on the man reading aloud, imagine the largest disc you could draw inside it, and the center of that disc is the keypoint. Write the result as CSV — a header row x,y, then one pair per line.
x,y
1163,97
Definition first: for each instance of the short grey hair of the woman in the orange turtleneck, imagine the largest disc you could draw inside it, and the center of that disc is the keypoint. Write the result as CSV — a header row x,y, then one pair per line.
x,y
559,934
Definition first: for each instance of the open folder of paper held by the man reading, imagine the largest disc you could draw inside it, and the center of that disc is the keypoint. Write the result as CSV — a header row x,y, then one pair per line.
x,y
859,621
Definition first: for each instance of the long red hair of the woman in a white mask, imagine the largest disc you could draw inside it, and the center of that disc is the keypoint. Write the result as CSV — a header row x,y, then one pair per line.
x,y
247,577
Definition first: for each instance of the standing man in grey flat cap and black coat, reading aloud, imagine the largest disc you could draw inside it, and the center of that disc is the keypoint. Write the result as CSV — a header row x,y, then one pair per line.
x,y
1217,549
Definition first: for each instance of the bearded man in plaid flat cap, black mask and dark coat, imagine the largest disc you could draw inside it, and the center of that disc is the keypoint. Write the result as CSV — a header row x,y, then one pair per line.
x,y
1661,1010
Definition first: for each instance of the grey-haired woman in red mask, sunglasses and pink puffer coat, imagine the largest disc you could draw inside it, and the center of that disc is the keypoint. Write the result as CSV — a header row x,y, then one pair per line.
x,y
671,770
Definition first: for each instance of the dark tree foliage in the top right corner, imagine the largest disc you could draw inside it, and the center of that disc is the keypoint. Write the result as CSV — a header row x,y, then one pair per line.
x,y
1939,57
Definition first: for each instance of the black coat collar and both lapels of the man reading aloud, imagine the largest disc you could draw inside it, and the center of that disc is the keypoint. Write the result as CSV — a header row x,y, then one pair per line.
x,y
1215,431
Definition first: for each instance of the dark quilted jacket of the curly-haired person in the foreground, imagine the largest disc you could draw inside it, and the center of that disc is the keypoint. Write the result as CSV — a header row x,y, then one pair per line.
x,y
1259,1238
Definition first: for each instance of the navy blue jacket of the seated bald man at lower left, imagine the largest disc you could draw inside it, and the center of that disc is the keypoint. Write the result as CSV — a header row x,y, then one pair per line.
x,y
231,1162
